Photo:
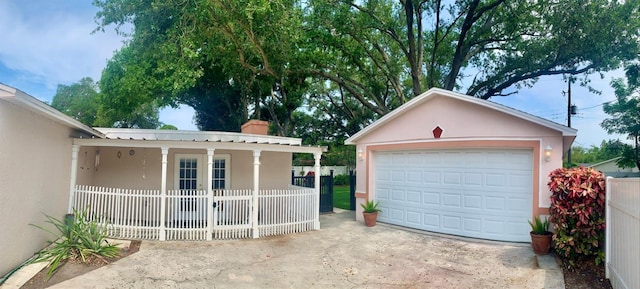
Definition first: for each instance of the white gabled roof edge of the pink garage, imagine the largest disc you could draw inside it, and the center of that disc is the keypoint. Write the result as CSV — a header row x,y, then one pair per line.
x,y
567,132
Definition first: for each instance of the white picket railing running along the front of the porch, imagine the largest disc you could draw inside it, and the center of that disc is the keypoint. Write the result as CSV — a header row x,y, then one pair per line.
x,y
137,214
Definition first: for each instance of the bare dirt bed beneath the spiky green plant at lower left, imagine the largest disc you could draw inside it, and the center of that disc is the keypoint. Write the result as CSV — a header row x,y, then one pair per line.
x,y
72,269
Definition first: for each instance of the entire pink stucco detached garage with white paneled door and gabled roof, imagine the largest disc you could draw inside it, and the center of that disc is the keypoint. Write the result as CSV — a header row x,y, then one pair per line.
x,y
450,163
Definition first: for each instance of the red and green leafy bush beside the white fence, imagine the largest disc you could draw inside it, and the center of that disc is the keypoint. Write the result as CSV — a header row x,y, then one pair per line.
x,y
577,212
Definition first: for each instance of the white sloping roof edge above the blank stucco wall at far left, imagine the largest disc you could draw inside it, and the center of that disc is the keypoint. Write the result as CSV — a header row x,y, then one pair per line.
x,y
32,104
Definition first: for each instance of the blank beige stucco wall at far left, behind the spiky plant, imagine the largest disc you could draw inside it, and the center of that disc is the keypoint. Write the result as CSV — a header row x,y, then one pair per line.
x,y
35,161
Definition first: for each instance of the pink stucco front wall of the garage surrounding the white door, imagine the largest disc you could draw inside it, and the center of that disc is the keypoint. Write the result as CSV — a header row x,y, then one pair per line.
x,y
464,125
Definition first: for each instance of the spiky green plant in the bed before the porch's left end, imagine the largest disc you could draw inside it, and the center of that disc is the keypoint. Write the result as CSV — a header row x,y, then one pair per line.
x,y
78,239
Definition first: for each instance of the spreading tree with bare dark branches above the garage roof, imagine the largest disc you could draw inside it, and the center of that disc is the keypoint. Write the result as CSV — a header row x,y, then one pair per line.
x,y
384,52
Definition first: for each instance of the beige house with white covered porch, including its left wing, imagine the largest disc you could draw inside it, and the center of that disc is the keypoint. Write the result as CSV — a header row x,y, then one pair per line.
x,y
145,184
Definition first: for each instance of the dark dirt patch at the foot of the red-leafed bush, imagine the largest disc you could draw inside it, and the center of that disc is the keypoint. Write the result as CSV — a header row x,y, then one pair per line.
x,y
585,274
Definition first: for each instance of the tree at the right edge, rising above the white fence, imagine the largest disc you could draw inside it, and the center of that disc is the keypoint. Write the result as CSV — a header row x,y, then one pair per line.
x,y
625,114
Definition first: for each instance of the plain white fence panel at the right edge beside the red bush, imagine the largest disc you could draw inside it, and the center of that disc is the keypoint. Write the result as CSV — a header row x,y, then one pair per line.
x,y
623,232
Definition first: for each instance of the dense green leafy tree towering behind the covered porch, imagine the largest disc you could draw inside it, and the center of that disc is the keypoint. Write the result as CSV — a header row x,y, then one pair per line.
x,y
253,43
